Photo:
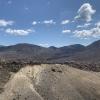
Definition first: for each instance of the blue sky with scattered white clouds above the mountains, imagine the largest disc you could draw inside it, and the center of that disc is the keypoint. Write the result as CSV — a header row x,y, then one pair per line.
x,y
49,22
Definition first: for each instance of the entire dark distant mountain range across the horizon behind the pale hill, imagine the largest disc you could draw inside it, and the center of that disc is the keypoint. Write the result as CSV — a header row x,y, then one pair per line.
x,y
73,53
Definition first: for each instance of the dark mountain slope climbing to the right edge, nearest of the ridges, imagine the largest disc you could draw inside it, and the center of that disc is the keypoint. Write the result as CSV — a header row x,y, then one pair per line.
x,y
86,59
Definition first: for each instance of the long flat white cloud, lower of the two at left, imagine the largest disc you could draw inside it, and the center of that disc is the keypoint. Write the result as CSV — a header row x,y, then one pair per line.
x,y
19,32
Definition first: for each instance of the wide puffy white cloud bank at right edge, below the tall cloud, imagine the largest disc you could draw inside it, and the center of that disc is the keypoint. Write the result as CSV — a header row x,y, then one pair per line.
x,y
93,32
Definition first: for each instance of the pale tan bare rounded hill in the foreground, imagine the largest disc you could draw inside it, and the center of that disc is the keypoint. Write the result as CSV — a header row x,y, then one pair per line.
x,y
52,82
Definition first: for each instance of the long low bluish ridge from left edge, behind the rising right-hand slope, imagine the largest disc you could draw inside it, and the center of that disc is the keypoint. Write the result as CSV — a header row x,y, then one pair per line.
x,y
30,52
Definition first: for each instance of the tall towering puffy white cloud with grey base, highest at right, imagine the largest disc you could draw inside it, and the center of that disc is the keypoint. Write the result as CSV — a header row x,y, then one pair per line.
x,y
85,12
